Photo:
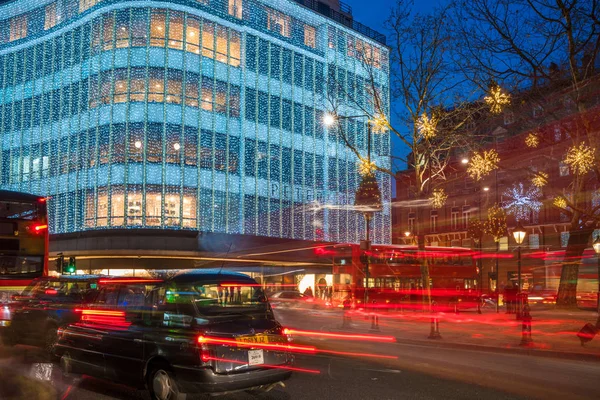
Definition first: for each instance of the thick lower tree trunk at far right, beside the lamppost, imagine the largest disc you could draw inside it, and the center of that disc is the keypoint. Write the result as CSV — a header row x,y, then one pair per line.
x,y
567,289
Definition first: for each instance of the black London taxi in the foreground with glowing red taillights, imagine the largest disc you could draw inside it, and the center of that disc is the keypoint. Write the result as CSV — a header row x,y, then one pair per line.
x,y
201,331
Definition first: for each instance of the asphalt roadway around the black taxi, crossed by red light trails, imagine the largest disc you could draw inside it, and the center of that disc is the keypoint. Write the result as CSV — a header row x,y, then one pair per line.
x,y
410,371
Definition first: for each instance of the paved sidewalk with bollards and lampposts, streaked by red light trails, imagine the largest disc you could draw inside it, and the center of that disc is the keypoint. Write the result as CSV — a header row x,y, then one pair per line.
x,y
553,331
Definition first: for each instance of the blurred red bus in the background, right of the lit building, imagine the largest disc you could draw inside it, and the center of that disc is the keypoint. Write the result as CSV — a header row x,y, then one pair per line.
x,y
396,279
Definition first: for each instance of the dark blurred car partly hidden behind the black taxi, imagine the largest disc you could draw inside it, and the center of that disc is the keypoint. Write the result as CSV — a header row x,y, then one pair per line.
x,y
44,306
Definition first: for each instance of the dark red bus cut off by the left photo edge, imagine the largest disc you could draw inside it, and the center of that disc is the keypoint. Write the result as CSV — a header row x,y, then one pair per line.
x,y
23,241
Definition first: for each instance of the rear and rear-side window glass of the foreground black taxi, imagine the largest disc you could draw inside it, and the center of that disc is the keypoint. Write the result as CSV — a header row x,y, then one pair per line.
x,y
217,298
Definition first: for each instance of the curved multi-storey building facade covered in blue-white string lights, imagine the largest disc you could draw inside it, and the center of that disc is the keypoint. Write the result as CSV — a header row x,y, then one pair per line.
x,y
198,115
